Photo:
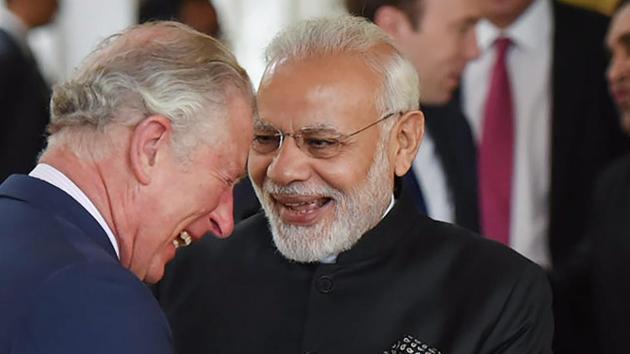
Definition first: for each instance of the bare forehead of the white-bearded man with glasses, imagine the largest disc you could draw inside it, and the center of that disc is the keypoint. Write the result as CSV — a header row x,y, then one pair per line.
x,y
331,90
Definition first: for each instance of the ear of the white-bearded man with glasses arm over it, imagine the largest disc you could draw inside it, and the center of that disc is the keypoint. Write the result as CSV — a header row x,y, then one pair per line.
x,y
408,134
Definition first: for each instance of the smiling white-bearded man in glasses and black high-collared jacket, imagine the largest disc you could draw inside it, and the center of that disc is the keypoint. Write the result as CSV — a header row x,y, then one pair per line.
x,y
337,264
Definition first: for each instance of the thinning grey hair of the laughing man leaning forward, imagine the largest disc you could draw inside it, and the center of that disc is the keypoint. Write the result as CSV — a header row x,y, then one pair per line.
x,y
159,68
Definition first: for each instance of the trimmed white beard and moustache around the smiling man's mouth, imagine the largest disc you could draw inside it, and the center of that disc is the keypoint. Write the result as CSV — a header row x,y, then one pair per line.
x,y
355,213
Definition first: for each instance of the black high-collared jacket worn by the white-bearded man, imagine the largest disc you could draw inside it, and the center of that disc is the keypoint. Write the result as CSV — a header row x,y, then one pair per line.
x,y
409,276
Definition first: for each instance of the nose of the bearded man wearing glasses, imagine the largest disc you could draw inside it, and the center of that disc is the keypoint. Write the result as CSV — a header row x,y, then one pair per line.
x,y
289,164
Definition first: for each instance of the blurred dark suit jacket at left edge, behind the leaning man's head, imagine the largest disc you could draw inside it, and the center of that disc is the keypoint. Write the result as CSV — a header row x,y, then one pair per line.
x,y
24,98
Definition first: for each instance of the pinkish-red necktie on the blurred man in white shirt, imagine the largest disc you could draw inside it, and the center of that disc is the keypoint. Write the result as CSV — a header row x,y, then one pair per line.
x,y
496,151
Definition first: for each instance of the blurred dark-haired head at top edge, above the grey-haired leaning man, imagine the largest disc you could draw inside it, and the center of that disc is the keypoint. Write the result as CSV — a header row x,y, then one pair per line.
x,y
198,14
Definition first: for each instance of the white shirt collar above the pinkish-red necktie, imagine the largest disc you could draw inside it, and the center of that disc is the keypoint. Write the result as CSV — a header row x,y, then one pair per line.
x,y
531,30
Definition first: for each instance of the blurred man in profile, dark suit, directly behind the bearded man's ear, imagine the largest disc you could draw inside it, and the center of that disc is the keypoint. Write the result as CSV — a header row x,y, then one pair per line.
x,y
438,37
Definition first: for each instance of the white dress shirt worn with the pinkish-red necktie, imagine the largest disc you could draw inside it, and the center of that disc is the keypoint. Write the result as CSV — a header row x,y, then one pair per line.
x,y
529,65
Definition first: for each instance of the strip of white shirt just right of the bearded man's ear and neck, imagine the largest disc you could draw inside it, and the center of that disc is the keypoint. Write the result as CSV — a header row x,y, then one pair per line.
x,y
429,171
